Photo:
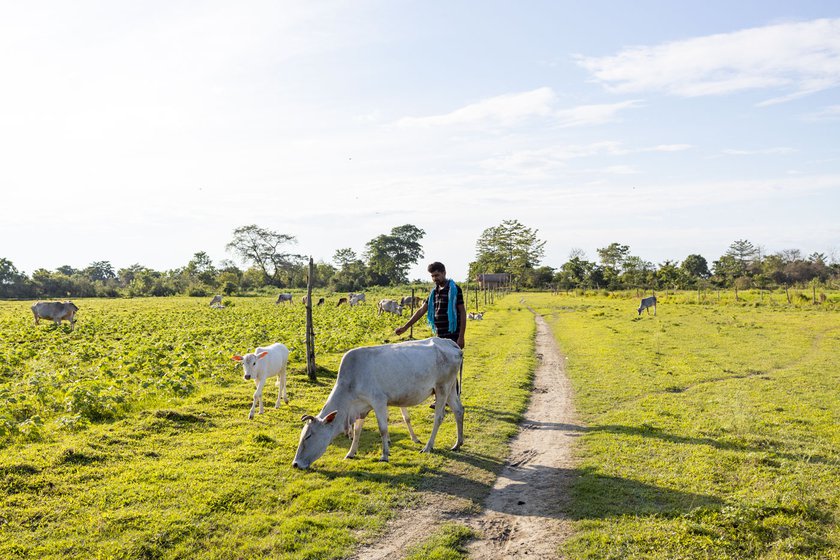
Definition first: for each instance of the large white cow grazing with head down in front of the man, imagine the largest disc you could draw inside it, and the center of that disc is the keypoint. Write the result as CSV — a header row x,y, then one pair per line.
x,y
375,377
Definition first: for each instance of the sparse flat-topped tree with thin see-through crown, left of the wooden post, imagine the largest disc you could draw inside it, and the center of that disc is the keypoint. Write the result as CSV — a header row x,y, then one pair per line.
x,y
261,248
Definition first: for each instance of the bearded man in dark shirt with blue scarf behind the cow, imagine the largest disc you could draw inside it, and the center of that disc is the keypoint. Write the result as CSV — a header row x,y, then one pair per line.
x,y
444,308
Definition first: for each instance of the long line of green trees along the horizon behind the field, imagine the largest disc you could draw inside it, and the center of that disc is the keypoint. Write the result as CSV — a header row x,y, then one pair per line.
x,y
268,263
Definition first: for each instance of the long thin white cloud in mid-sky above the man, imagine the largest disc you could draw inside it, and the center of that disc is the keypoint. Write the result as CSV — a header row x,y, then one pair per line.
x,y
515,108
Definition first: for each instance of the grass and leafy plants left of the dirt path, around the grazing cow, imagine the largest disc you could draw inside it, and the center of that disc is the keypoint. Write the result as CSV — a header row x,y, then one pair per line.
x,y
128,437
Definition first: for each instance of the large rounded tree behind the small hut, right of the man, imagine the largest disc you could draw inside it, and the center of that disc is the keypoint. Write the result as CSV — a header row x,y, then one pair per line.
x,y
510,247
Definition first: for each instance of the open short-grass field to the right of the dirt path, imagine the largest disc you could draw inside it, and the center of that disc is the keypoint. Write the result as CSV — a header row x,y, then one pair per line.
x,y
708,431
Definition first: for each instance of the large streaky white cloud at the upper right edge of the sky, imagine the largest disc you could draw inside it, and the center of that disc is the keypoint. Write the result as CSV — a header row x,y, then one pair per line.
x,y
800,58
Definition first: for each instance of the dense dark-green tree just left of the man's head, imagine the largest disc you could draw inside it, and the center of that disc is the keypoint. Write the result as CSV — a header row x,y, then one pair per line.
x,y
390,256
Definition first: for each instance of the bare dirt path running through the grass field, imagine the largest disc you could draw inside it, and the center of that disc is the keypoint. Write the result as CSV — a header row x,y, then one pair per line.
x,y
523,516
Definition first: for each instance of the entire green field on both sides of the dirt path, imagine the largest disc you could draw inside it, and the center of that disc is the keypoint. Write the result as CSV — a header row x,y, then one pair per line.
x,y
708,431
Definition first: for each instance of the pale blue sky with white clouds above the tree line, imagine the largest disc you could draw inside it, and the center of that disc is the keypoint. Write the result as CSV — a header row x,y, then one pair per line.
x,y
146,132
